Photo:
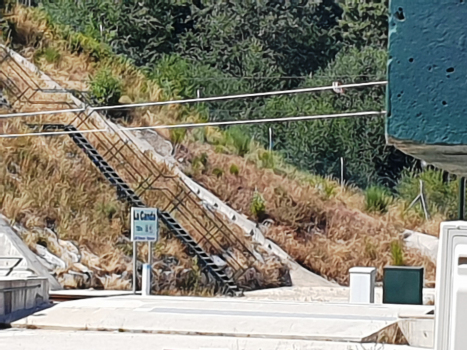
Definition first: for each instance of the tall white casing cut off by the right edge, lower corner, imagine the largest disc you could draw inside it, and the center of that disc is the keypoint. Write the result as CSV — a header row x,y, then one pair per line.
x,y
451,288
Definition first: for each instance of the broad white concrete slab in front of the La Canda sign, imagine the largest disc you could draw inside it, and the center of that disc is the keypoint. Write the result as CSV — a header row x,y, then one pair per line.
x,y
223,317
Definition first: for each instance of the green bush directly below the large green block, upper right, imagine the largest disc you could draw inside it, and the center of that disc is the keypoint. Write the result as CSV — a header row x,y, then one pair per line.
x,y
441,194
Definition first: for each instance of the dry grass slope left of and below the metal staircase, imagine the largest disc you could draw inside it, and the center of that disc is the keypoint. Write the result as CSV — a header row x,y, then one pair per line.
x,y
48,182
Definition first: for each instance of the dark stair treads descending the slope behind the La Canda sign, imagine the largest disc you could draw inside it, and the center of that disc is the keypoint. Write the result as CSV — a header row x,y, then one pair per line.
x,y
126,193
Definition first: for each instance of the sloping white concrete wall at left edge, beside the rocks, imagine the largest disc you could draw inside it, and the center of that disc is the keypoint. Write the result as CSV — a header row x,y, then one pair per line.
x,y
12,246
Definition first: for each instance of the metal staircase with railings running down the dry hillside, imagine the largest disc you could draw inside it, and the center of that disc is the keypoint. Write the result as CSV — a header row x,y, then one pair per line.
x,y
137,176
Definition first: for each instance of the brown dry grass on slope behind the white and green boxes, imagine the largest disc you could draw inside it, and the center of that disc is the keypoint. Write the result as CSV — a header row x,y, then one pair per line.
x,y
321,232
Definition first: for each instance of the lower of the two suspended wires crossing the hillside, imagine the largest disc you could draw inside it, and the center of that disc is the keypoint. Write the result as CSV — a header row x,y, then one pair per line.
x,y
199,125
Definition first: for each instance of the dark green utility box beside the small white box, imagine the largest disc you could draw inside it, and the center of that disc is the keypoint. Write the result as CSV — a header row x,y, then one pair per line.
x,y
403,285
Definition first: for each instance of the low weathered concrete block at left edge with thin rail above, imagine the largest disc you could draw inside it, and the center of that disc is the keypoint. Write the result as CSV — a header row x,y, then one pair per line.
x,y
22,297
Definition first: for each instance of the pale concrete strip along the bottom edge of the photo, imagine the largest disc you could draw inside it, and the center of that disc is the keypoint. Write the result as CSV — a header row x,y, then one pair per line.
x,y
25,339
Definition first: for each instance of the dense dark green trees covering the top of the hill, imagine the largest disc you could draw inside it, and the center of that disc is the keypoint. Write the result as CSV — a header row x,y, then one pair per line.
x,y
249,46
